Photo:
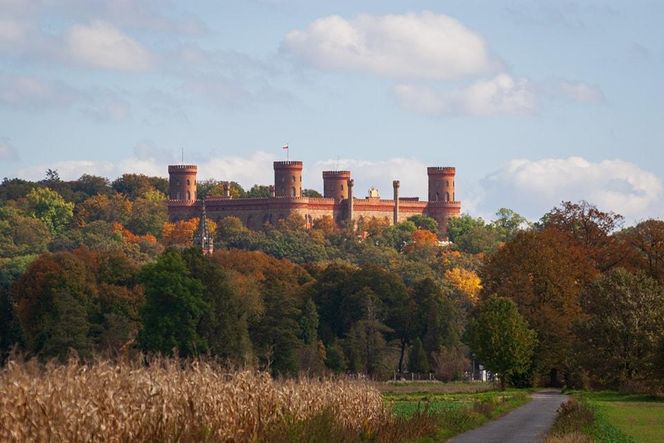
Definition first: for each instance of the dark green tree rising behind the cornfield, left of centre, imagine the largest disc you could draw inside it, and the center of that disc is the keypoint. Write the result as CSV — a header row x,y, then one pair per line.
x,y
173,307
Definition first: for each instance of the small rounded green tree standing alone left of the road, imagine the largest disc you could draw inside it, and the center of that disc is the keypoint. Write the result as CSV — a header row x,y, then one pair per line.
x,y
500,337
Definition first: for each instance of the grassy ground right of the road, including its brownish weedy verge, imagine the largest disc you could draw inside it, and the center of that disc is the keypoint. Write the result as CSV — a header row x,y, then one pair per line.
x,y
610,417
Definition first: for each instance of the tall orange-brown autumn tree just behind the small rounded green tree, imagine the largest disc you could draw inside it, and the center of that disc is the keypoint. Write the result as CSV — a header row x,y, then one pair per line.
x,y
543,273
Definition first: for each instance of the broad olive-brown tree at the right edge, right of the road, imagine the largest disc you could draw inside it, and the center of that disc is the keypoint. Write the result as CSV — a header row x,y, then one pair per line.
x,y
622,327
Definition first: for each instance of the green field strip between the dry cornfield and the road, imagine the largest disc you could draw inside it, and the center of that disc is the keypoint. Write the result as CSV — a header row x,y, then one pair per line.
x,y
455,412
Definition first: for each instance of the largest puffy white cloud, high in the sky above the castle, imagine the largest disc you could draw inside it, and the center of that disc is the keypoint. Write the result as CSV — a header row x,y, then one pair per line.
x,y
416,45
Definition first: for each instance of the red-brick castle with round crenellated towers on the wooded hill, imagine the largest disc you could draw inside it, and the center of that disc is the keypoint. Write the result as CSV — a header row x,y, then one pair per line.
x,y
338,200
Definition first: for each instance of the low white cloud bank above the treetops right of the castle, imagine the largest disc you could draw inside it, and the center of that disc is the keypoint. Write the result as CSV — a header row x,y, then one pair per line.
x,y
534,187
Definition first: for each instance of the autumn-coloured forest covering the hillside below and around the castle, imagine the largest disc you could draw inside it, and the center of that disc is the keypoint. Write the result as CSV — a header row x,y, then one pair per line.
x,y
93,267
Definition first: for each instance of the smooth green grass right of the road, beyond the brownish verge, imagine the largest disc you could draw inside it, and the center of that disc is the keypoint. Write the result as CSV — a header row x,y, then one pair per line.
x,y
639,418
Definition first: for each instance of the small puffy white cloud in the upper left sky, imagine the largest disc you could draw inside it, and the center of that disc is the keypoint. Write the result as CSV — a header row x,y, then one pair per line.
x,y
103,46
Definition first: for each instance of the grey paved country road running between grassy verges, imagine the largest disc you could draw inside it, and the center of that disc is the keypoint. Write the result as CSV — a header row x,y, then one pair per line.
x,y
527,424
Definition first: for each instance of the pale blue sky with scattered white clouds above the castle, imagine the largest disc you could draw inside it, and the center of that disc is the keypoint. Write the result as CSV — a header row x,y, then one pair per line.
x,y
533,101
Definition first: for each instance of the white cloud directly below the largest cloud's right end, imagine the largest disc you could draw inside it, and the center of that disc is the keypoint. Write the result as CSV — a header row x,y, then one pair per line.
x,y
500,95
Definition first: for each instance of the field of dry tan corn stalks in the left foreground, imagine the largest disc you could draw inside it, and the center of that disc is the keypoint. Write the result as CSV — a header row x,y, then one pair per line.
x,y
169,400
